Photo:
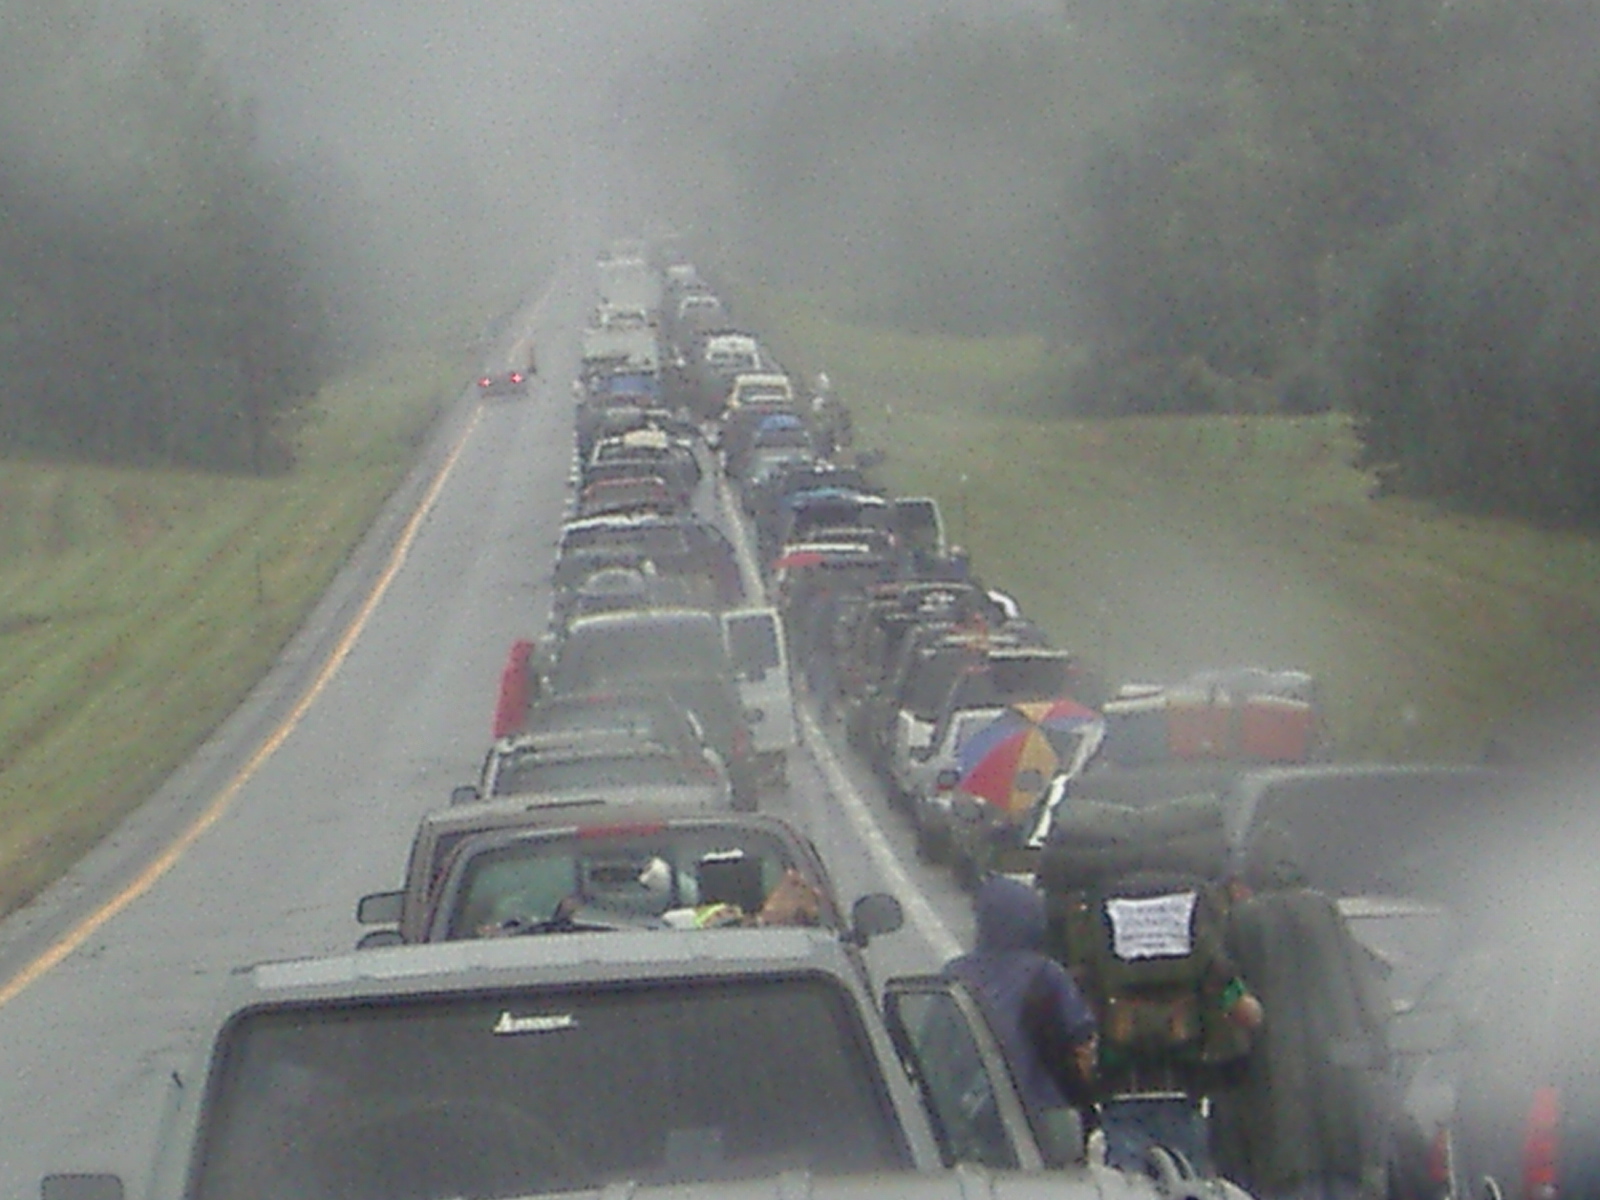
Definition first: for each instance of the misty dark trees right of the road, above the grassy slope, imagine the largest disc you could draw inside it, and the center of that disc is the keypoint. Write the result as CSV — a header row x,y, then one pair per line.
x,y
1383,207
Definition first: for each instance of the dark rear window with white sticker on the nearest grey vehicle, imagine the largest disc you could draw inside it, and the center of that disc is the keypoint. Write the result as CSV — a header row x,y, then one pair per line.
x,y
527,1094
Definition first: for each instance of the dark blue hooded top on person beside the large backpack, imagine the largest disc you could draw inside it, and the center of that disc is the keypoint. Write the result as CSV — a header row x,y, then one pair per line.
x,y
1007,967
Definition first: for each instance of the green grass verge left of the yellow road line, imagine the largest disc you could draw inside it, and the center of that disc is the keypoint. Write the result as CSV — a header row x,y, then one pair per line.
x,y
137,609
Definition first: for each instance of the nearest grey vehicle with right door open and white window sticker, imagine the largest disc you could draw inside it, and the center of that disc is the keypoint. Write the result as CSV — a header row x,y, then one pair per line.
x,y
598,1063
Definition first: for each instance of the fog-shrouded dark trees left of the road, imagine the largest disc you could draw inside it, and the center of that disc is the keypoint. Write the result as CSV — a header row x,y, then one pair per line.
x,y
158,303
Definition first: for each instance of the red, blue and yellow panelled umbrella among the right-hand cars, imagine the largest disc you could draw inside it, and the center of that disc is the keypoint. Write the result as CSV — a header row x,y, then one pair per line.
x,y
1012,761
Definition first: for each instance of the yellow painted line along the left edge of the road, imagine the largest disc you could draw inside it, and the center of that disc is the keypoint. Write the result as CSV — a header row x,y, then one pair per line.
x,y
86,929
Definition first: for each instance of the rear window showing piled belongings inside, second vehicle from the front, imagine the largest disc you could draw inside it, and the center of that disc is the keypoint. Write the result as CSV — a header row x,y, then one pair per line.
x,y
625,874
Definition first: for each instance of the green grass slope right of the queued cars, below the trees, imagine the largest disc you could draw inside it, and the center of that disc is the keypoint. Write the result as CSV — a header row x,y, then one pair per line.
x,y
1169,545
